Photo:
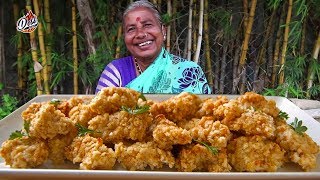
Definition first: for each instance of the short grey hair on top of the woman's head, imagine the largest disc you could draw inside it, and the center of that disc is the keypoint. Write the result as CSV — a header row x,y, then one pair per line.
x,y
145,4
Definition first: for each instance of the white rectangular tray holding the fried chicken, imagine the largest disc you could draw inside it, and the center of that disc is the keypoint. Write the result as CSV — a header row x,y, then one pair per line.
x,y
14,122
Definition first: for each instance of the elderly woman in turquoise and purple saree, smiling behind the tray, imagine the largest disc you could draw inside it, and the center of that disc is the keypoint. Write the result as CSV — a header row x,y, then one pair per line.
x,y
150,68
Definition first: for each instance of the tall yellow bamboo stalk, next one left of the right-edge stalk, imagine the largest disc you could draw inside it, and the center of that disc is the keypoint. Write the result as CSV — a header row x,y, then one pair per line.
x,y
285,43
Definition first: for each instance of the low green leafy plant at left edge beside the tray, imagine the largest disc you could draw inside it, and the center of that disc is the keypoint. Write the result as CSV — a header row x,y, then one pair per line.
x,y
8,104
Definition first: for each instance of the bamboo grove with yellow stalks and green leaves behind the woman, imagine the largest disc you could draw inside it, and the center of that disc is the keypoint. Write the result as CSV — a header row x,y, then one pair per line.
x,y
270,47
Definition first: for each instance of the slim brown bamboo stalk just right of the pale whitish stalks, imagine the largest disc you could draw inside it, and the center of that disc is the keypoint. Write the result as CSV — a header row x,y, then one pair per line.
x,y
207,45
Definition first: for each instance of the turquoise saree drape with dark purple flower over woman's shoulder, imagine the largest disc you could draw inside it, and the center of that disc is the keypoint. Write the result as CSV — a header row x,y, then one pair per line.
x,y
171,74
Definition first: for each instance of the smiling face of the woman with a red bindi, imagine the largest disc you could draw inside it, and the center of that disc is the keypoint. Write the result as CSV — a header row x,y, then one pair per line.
x,y
143,34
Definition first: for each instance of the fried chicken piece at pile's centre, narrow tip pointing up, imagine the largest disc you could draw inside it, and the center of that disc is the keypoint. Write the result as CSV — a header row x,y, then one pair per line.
x,y
166,133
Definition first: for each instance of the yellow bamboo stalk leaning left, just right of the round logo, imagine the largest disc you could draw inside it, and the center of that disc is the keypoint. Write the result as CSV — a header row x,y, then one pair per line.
x,y
42,49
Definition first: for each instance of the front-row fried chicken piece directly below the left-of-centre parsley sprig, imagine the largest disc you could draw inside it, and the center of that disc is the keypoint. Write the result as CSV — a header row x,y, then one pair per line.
x,y
91,153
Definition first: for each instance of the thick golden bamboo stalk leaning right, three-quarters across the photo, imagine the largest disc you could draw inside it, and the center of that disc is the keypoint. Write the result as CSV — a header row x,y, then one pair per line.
x,y
245,44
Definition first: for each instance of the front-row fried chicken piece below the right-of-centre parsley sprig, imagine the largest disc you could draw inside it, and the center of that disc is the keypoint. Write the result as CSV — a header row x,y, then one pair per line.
x,y
197,157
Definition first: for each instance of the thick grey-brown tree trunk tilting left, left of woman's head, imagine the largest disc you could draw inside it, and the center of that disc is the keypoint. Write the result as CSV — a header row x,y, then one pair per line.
x,y
87,23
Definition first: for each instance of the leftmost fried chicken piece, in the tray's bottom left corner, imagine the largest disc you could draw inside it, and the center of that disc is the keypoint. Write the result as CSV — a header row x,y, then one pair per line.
x,y
25,152
